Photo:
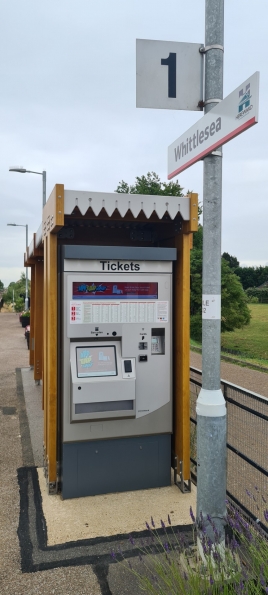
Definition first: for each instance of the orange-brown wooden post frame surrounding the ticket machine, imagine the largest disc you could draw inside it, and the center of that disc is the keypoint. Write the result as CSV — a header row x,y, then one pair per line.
x,y
45,304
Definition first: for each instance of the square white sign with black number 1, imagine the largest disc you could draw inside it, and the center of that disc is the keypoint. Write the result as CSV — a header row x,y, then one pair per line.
x,y
169,75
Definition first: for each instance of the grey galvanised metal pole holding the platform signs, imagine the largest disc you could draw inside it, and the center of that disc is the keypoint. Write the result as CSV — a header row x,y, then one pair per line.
x,y
211,408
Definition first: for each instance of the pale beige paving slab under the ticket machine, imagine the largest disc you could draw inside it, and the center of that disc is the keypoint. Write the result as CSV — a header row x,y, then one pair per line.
x,y
112,514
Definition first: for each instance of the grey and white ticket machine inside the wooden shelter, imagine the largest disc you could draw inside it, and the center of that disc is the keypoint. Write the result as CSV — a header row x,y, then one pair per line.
x,y
115,368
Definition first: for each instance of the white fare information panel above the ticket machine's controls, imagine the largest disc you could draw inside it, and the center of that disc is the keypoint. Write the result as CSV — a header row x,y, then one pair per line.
x,y
112,311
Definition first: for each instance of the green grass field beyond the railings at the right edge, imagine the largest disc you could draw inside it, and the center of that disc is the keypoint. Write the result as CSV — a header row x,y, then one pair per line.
x,y
250,343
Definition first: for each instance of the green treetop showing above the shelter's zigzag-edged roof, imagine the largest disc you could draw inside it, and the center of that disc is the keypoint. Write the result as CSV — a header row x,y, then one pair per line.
x,y
150,184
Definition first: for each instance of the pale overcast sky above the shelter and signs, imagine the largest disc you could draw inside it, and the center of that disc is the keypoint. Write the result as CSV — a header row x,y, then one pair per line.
x,y
68,106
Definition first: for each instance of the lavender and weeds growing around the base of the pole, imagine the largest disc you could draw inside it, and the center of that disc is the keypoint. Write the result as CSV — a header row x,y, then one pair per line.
x,y
166,564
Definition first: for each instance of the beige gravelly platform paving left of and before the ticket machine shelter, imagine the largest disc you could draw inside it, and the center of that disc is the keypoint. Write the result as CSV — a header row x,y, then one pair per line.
x,y
77,558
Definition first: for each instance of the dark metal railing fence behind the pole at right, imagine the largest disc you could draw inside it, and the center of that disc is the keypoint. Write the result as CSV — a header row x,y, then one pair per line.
x,y
247,445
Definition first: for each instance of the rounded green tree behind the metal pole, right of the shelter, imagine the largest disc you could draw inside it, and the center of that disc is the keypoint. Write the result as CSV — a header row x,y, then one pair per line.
x,y
234,309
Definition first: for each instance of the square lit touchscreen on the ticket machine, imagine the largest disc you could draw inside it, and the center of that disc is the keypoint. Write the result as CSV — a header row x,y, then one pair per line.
x,y
96,361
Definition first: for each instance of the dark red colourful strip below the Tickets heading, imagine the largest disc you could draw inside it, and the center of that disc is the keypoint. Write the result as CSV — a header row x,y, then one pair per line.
x,y
111,290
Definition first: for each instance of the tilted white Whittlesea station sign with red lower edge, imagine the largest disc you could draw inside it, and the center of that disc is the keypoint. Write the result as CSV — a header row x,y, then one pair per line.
x,y
234,114
